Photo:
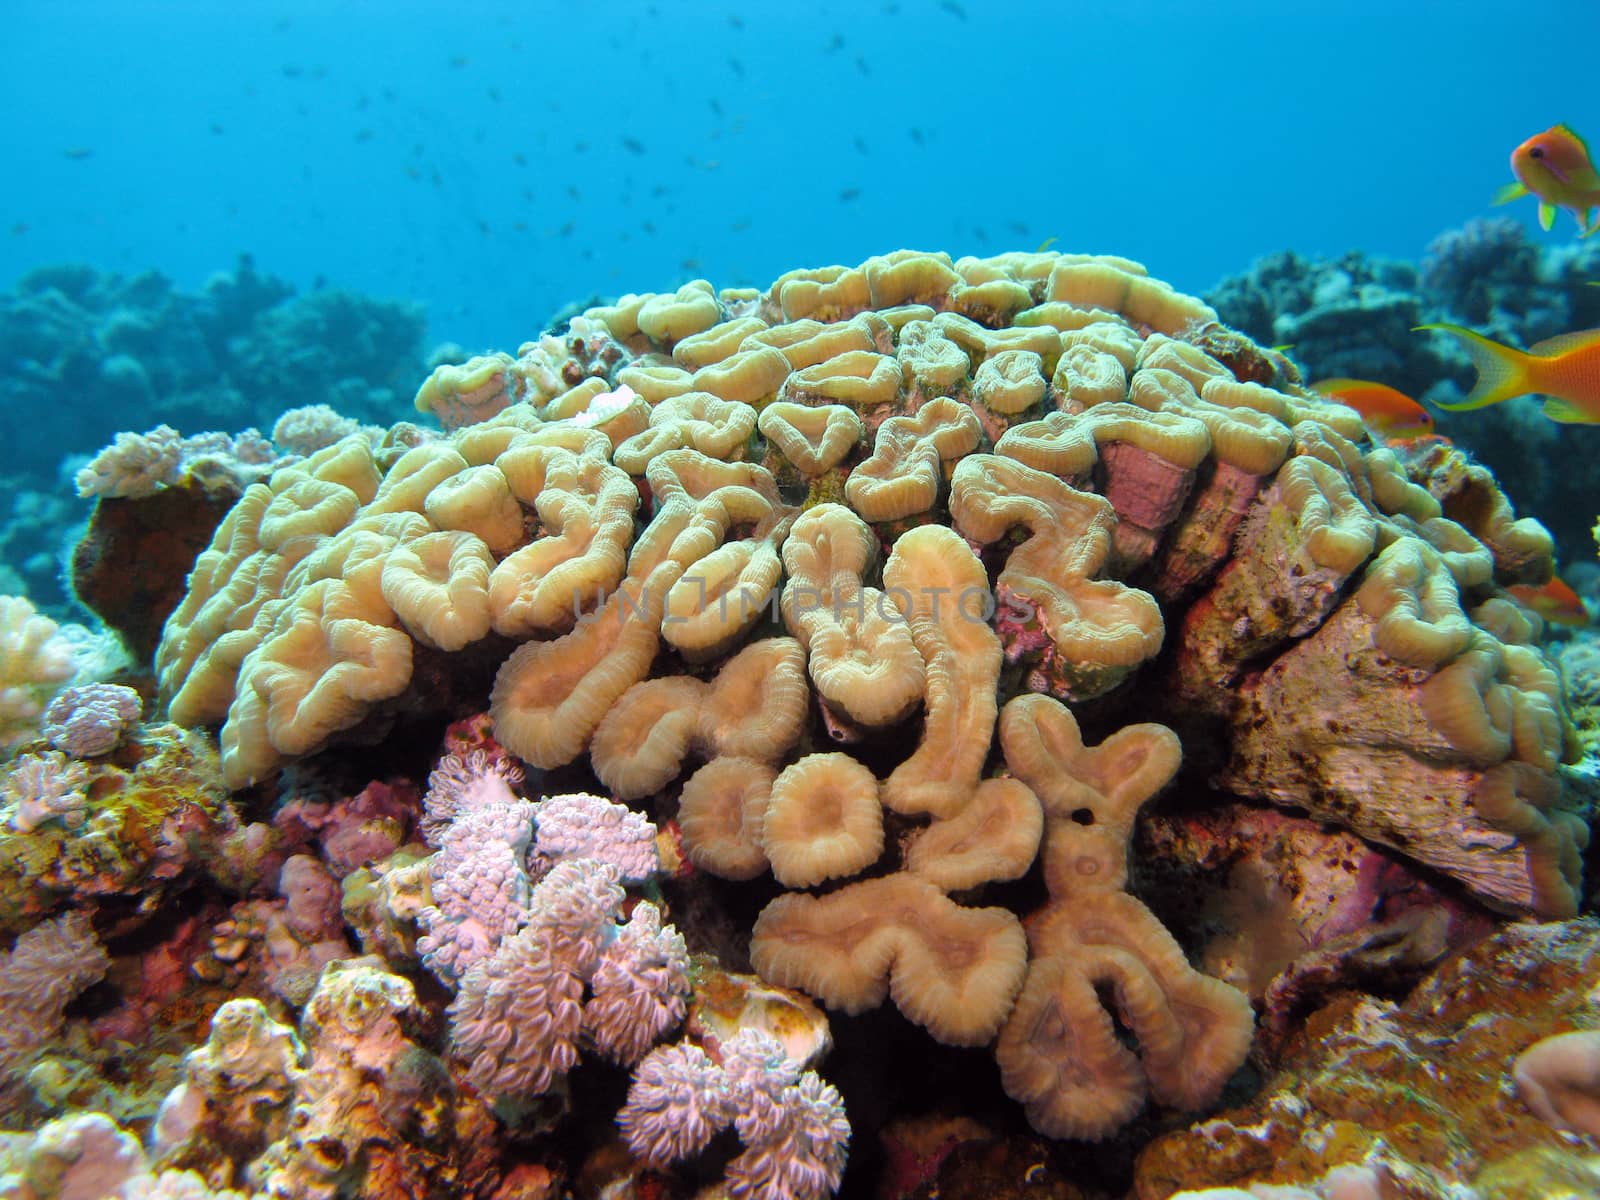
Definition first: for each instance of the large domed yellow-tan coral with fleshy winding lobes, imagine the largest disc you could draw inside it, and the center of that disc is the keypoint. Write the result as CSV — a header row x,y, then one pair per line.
x,y
858,513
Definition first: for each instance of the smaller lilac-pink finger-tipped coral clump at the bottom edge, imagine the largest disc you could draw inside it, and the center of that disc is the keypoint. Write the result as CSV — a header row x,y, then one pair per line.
x,y
791,1122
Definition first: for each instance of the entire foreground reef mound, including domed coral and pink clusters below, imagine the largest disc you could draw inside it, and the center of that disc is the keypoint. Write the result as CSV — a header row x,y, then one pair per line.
x,y
942,639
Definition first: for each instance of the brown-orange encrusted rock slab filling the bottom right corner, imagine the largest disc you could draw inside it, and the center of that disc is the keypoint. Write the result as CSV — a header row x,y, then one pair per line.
x,y
1430,1092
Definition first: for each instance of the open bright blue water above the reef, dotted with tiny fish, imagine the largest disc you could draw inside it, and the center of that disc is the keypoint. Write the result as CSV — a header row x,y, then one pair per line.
x,y
497,161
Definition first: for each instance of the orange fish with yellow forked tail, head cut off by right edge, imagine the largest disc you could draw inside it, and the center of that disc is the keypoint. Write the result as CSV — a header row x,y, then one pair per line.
x,y
1564,369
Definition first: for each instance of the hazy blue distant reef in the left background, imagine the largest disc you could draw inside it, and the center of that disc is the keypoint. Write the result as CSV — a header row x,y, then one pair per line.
x,y
92,345
